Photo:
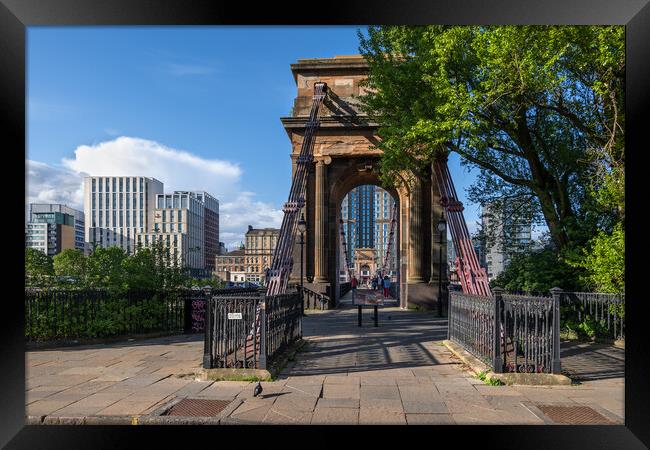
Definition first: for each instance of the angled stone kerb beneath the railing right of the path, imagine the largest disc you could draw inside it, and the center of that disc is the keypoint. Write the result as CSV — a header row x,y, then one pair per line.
x,y
512,379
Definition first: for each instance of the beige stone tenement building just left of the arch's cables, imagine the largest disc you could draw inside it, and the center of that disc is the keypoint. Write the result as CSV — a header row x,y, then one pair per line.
x,y
259,248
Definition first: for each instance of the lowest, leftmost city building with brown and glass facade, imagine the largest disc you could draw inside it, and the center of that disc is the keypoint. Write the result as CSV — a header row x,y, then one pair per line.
x,y
54,213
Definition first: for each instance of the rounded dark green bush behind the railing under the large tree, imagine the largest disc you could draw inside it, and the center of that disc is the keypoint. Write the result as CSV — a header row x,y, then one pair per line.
x,y
537,271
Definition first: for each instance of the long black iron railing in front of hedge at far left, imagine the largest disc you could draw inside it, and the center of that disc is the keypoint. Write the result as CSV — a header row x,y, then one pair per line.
x,y
63,314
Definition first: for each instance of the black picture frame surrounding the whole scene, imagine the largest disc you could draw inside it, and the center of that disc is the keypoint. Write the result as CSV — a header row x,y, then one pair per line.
x,y
16,15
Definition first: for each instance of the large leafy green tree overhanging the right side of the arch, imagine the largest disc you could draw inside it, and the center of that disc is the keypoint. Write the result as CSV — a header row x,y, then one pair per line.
x,y
537,109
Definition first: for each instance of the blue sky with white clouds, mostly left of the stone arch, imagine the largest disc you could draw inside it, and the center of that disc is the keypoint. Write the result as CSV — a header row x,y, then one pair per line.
x,y
199,107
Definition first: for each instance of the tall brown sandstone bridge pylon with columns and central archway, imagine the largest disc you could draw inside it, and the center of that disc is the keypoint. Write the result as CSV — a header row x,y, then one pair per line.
x,y
345,156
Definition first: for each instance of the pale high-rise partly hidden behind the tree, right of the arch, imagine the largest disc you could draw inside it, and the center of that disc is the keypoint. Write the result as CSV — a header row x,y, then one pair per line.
x,y
508,233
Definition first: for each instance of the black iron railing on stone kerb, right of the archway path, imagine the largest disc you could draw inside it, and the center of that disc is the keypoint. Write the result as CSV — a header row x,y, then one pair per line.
x,y
510,333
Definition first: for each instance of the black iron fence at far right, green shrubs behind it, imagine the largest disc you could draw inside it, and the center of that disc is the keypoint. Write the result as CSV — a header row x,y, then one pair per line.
x,y
604,312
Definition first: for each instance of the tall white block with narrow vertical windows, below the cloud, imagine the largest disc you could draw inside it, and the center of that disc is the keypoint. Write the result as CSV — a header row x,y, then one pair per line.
x,y
118,208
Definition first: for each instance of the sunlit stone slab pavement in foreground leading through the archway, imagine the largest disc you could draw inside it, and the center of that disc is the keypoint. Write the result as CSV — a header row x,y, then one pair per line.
x,y
398,373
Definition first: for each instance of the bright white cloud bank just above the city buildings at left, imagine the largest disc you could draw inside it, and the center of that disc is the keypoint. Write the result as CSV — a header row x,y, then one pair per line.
x,y
176,169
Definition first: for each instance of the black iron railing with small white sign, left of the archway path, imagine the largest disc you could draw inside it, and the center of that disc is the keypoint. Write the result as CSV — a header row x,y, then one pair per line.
x,y
229,342
